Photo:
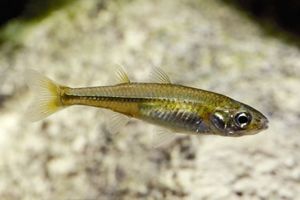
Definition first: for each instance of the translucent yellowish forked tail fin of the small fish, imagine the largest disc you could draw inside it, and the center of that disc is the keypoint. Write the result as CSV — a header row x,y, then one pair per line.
x,y
47,96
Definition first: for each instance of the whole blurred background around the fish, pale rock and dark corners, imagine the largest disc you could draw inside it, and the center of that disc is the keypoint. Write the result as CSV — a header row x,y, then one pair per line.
x,y
243,49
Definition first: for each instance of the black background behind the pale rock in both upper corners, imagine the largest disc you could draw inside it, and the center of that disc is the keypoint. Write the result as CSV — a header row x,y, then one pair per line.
x,y
282,14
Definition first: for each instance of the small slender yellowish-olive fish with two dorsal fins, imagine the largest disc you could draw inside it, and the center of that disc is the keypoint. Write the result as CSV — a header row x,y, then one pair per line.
x,y
175,107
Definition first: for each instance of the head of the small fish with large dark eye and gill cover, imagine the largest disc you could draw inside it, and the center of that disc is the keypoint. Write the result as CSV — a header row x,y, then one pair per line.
x,y
238,121
